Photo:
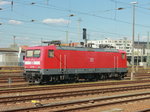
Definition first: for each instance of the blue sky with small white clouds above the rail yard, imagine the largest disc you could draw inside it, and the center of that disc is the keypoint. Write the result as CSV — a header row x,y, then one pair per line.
x,y
33,21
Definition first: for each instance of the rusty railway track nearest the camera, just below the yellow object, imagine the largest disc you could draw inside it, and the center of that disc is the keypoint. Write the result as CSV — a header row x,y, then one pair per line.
x,y
84,104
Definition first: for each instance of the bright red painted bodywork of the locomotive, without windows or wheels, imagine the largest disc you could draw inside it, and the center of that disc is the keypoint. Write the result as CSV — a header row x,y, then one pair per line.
x,y
76,59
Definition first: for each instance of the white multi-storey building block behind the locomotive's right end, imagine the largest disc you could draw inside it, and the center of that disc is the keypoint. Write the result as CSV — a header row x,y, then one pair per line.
x,y
140,48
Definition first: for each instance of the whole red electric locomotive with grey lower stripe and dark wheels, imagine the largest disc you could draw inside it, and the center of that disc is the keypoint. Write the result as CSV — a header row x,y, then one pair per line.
x,y
58,63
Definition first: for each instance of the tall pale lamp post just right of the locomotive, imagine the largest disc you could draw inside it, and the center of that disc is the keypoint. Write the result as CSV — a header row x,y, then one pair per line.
x,y
133,33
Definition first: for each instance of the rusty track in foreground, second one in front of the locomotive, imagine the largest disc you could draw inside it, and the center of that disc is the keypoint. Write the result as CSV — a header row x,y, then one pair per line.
x,y
24,98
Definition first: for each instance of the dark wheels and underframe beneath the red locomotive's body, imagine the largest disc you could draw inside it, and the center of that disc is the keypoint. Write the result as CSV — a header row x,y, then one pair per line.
x,y
37,77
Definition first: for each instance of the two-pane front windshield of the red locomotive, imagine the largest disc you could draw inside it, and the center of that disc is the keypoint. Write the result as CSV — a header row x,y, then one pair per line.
x,y
33,53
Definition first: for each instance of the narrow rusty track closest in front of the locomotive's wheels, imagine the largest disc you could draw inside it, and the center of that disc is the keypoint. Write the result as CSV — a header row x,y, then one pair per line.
x,y
54,87
